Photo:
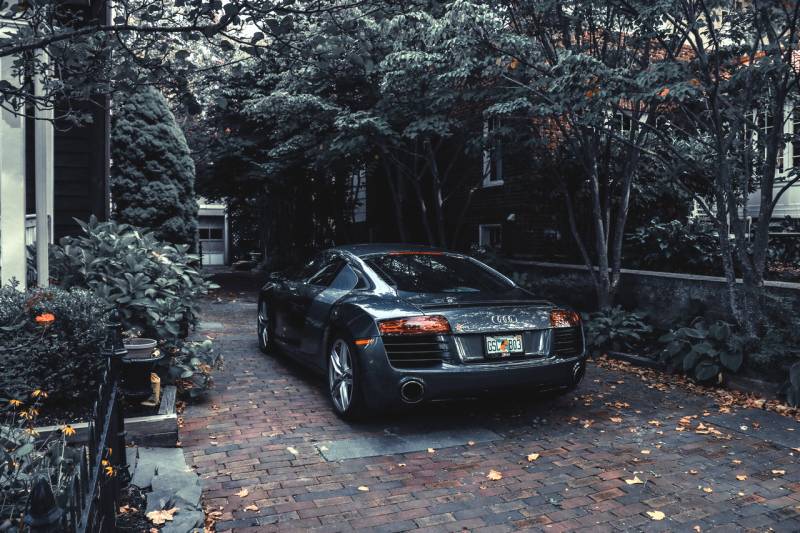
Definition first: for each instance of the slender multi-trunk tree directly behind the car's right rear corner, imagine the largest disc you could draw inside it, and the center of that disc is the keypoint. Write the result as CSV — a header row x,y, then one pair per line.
x,y
582,72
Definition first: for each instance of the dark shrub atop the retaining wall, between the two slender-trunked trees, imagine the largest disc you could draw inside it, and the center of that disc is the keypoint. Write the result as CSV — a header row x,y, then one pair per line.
x,y
674,247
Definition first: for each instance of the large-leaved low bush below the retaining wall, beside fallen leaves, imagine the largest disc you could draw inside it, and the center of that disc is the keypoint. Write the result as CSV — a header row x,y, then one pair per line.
x,y
702,351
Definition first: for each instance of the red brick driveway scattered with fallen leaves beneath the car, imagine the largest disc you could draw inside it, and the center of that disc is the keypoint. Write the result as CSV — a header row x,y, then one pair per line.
x,y
261,429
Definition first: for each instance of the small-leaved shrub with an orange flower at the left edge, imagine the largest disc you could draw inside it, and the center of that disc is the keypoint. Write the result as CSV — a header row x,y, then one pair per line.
x,y
50,340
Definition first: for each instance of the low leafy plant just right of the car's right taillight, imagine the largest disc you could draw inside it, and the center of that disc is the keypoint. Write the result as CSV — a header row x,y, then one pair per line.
x,y
615,329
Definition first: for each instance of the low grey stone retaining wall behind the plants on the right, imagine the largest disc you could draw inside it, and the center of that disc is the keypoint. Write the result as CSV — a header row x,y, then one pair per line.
x,y
666,297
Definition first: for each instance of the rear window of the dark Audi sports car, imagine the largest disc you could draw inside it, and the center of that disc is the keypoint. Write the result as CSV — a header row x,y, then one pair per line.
x,y
426,272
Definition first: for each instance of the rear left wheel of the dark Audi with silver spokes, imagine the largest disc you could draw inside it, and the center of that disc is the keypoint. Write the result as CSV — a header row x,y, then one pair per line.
x,y
344,383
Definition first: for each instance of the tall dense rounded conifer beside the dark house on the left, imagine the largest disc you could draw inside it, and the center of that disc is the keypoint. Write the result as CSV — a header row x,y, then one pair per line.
x,y
152,178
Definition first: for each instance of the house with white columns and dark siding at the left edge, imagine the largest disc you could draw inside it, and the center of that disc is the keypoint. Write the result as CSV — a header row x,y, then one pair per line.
x,y
50,173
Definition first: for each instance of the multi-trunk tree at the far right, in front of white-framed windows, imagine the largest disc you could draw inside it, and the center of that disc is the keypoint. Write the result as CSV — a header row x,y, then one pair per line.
x,y
733,88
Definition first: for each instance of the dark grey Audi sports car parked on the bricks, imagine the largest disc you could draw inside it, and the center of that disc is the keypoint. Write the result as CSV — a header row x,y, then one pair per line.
x,y
391,325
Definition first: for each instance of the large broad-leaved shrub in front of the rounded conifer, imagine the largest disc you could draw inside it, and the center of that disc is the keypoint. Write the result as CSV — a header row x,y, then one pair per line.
x,y
155,285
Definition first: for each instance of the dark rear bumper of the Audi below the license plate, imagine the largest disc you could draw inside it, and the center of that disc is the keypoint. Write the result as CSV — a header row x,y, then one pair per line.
x,y
383,382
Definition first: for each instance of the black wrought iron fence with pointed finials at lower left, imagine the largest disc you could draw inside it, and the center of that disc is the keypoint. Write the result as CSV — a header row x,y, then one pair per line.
x,y
93,491
